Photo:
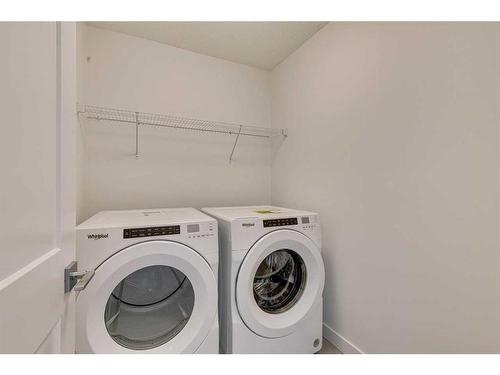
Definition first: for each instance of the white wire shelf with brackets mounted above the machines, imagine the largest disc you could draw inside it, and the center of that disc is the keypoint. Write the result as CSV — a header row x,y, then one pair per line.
x,y
176,122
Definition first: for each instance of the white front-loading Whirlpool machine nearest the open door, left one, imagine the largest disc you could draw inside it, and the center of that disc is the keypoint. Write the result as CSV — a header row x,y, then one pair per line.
x,y
154,289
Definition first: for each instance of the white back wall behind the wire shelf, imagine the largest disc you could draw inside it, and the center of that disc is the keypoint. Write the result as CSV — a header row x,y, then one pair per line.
x,y
175,168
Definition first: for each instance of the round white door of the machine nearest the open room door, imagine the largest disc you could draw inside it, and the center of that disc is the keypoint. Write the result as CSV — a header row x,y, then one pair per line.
x,y
152,297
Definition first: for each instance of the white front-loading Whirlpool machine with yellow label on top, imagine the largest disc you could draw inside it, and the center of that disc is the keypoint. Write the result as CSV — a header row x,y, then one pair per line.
x,y
271,280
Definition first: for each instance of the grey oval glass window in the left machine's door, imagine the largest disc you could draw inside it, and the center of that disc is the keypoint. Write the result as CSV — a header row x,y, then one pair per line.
x,y
149,307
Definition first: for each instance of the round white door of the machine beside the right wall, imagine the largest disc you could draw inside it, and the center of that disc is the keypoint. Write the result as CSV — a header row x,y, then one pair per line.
x,y
279,281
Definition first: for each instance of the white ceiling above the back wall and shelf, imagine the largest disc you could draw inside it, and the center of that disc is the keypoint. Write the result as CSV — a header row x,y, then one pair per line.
x,y
260,44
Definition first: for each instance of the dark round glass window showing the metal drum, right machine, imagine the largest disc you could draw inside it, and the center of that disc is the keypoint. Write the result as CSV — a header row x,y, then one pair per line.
x,y
279,281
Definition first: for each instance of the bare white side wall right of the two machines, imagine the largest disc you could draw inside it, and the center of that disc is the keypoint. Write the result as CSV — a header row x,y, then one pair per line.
x,y
393,139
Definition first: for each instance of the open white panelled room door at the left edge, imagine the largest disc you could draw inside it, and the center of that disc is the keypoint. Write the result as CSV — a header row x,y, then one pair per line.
x,y
37,210
